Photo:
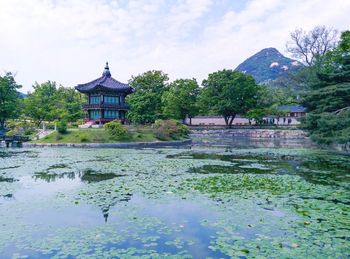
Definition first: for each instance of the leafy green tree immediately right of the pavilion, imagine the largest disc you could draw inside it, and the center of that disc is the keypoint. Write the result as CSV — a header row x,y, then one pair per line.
x,y
145,103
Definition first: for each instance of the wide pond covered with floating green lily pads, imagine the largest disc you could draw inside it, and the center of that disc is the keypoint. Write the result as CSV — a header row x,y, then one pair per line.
x,y
204,201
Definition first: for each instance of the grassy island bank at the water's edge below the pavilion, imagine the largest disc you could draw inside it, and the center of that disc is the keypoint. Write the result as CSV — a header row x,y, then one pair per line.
x,y
99,136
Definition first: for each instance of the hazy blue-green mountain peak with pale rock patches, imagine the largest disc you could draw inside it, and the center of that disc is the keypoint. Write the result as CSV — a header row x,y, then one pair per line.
x,y
268,64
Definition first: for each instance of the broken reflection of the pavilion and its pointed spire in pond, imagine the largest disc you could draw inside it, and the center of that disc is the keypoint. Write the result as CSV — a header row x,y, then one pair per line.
x,y
105,203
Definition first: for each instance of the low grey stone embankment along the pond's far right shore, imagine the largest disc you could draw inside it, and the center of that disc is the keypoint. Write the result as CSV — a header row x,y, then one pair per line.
x,y
250,133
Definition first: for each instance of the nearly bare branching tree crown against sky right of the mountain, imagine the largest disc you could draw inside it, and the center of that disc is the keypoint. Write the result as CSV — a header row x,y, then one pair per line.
x,y
310,46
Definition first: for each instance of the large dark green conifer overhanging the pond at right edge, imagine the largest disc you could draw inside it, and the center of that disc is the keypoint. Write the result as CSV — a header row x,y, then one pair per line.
x,y
328,102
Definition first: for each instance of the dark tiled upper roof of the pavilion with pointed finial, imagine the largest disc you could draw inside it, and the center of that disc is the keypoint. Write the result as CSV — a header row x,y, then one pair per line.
x,y
106,82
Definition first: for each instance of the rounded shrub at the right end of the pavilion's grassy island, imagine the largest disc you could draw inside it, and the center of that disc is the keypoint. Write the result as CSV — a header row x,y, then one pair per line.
x,y
169,129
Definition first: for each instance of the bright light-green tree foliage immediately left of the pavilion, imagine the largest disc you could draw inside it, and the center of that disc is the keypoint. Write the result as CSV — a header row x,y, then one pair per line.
x,y
49,103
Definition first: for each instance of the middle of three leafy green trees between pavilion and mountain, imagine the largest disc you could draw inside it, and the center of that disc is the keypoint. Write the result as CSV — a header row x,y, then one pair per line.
x,y
180,99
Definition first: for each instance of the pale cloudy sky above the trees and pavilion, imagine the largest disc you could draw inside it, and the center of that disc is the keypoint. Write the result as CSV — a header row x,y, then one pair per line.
x,y
69,41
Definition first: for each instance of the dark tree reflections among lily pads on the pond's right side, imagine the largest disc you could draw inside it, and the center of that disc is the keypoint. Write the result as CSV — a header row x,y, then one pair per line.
x,y
323,169
